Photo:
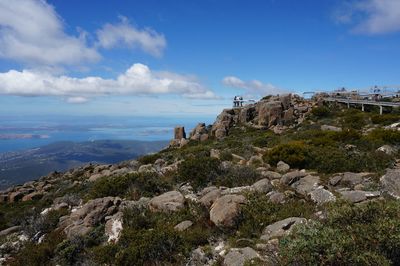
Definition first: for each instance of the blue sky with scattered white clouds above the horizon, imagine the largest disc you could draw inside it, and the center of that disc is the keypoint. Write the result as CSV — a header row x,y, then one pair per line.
x,y
187,57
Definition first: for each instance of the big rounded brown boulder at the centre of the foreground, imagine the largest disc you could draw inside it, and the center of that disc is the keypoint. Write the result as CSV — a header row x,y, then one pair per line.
x,y
225,209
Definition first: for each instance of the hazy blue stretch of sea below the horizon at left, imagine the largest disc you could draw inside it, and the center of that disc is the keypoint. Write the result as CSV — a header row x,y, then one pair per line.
x,y
19,133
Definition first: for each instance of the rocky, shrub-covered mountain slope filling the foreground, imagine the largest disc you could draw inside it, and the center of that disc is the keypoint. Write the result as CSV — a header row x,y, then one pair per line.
x,y
282,181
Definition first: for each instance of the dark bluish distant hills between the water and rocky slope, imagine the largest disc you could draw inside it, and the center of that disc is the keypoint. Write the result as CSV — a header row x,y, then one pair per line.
x,y
21,166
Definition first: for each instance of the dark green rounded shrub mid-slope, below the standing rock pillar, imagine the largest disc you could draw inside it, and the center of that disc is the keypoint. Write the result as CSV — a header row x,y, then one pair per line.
x,y
199,171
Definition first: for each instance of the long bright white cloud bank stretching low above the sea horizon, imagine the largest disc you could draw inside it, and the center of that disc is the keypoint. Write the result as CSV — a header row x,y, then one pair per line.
x,y
137,80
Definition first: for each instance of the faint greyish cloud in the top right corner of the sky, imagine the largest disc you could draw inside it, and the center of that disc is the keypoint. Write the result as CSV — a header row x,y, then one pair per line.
x,y
370,16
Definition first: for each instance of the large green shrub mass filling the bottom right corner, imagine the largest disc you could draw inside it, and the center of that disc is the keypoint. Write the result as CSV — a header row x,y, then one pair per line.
x,y
367,234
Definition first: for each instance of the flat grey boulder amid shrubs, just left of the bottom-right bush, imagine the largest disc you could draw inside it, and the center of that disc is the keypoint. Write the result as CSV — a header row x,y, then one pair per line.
x,y
281,228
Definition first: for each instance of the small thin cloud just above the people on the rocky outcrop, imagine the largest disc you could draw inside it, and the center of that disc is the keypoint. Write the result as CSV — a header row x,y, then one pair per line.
x,y
252,87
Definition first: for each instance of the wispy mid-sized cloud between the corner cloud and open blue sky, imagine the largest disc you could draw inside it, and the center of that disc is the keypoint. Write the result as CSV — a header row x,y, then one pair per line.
x,y
125,34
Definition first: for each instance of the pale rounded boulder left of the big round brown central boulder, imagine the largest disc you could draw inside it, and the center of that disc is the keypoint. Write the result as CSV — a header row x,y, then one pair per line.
x,y
167,202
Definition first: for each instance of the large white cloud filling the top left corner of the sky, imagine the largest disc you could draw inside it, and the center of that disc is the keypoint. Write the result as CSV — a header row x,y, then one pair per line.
x,y
31,32
